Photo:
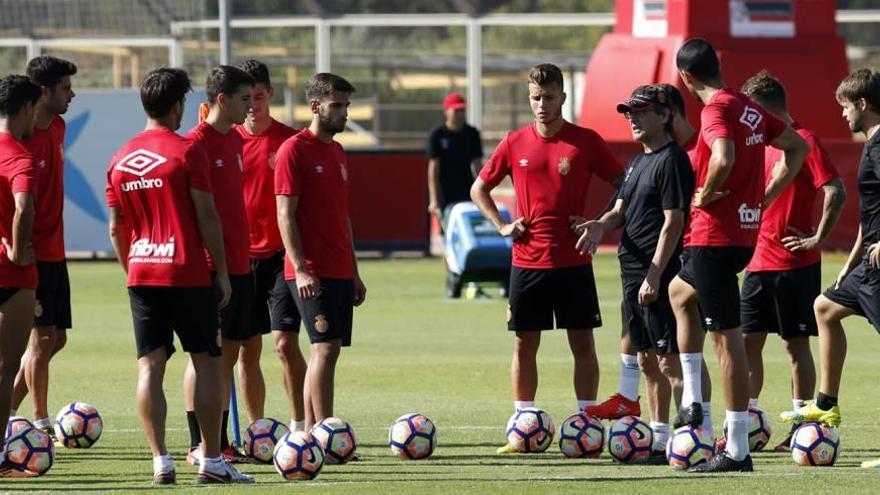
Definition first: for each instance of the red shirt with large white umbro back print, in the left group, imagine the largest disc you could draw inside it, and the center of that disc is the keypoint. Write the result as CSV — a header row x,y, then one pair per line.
x,y
150,179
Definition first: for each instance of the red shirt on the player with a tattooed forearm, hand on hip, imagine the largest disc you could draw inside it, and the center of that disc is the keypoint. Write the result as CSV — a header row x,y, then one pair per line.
x,y
792,208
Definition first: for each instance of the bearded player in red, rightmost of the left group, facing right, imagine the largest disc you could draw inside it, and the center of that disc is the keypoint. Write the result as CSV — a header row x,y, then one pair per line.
x,y
311,188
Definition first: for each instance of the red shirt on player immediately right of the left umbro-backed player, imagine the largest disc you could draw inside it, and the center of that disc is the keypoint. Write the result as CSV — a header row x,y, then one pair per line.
x,y
225,161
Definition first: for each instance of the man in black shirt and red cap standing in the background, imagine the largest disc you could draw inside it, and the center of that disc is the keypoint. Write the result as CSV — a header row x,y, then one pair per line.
x,y
454,151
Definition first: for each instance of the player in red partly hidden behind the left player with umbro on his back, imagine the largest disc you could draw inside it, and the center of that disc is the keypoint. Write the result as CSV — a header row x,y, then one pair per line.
x,y
229,97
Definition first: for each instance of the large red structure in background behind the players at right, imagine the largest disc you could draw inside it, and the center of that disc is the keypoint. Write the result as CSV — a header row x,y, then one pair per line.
x,y
796,40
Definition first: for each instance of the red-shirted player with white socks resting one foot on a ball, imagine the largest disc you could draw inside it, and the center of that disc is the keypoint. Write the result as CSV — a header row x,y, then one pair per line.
x,y
730,192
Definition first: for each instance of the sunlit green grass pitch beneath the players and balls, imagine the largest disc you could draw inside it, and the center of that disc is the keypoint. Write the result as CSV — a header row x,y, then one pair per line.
x,y
413,351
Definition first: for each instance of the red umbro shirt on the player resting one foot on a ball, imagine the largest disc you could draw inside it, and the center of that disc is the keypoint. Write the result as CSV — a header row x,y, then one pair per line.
x,y
734,219
